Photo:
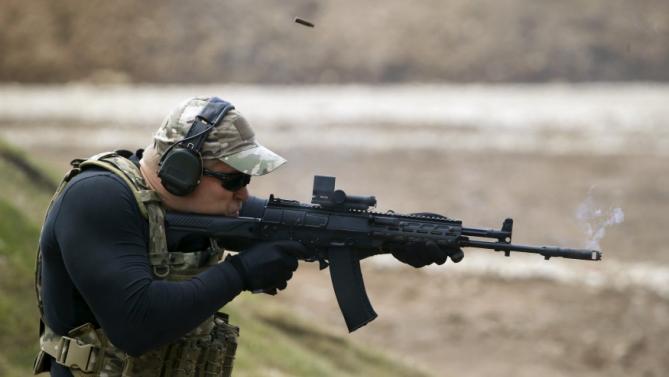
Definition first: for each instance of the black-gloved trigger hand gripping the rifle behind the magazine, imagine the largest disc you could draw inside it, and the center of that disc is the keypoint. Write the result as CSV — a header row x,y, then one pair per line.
x,y
267,267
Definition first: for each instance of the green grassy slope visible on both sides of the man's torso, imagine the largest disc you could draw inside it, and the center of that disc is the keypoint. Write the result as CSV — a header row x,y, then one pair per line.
x,y
273,342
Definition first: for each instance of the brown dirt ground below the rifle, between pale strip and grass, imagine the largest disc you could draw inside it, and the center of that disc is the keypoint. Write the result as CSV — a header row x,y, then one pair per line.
x,y
461,325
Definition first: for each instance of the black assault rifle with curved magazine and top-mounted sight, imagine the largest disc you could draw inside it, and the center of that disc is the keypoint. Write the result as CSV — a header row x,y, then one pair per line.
x,y
337,228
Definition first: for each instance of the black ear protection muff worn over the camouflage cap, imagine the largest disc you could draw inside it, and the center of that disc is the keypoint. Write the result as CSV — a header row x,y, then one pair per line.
x,y
181,165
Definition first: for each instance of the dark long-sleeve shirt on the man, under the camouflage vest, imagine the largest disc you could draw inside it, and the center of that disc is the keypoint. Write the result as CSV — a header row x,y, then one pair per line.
x,y
95,269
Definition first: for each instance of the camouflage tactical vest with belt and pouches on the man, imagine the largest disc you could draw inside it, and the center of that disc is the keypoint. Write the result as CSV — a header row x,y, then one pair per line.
x,y
208,350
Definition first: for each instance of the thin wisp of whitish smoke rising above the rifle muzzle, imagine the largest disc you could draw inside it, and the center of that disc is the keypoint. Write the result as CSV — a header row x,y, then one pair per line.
x,y
596,219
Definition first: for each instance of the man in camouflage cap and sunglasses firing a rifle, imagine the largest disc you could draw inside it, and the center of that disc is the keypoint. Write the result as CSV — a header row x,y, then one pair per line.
x,y
113,300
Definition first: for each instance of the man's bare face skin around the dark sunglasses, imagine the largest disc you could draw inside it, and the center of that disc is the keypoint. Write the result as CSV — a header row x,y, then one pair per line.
x,y
210,197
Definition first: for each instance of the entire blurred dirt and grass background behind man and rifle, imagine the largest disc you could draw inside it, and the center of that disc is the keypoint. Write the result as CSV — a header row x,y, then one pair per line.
x,y
553,113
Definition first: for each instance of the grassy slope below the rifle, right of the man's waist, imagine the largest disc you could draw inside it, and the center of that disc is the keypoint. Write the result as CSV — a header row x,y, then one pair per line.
x,y
274,342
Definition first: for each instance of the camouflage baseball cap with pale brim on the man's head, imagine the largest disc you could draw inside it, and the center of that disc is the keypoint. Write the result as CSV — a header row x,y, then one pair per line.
x,y
231,141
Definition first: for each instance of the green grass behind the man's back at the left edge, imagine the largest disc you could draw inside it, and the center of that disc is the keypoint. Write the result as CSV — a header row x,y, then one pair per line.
x,y
22,205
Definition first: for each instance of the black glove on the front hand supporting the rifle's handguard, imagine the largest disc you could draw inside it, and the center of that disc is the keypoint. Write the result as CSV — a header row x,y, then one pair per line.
x,y
420,254
